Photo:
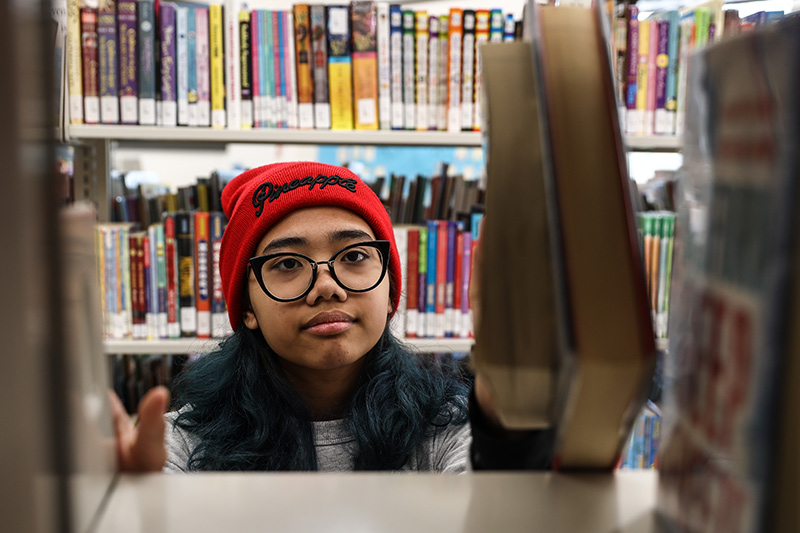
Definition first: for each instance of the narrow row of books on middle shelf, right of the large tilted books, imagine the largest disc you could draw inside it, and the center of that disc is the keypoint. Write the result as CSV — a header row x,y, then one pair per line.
x,y
657,238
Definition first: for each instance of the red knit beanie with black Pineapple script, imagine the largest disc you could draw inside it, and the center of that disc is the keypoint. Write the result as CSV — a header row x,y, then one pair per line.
x,y
257,199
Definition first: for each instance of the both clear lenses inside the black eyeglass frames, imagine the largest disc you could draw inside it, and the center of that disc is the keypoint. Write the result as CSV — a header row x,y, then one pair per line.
x,y
288,276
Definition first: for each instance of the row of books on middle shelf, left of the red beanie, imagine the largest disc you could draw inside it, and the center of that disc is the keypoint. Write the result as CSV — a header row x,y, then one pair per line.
x,y
162,282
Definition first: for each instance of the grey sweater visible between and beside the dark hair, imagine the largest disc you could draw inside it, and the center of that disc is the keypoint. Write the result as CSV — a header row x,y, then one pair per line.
x,y
447,451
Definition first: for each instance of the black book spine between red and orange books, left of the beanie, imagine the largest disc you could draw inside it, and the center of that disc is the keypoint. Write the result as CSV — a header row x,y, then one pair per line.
x,y
184,234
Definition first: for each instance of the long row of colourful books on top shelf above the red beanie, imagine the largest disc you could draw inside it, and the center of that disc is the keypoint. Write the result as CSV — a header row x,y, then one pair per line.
x,y
363,65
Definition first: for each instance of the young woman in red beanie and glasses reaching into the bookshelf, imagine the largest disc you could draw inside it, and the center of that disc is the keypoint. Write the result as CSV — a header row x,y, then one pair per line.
x,y
312,378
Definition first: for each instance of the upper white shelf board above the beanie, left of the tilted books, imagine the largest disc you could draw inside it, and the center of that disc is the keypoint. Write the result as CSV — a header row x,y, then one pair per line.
x,y
274,136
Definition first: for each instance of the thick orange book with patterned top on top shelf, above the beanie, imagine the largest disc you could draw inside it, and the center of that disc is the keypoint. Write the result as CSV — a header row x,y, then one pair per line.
x,y
364,19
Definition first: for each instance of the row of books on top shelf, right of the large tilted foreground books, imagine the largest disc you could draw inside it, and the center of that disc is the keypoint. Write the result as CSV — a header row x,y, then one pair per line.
x,y
652,61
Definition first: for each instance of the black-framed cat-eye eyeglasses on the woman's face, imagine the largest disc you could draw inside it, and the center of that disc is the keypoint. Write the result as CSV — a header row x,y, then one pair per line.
x,y
289,276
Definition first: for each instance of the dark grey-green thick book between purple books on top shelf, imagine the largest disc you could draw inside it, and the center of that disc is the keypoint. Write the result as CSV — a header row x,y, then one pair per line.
x,y
147,61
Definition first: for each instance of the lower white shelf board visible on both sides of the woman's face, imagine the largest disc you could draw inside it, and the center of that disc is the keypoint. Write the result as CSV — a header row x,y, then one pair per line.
x,y
193,345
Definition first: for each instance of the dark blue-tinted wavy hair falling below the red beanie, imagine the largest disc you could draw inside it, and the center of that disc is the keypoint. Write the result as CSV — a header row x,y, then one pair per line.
x,y
248,416
